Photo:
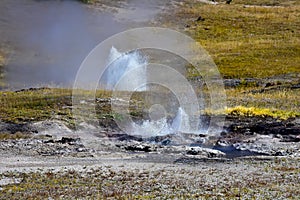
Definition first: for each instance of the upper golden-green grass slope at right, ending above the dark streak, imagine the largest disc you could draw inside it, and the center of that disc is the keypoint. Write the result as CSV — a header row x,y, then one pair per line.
x,y
253,41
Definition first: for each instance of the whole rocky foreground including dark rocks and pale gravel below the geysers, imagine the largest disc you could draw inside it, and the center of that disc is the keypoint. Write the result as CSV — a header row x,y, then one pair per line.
x,y
247,161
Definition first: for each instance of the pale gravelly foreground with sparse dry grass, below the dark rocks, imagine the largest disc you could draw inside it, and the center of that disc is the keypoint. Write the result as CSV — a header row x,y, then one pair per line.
x,y
122,174
